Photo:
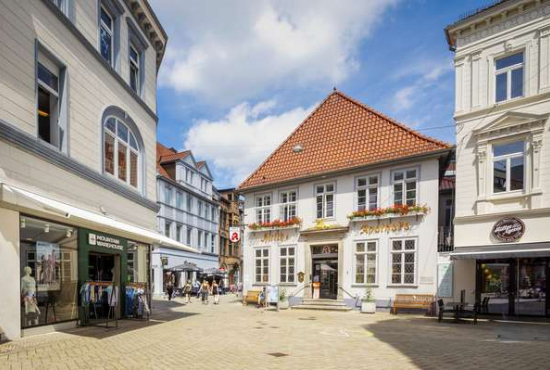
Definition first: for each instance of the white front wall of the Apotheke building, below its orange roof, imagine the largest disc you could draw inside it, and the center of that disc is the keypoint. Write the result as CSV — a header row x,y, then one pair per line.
x,y
343,237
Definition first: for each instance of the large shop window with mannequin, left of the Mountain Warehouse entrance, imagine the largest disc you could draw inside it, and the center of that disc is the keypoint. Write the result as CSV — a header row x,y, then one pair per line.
x,y
49,272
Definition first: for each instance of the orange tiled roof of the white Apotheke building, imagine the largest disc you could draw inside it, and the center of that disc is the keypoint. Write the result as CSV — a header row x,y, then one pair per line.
x,y
340,134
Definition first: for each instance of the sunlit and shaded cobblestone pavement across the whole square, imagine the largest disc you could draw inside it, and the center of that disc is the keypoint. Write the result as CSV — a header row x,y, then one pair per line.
x,y
231,336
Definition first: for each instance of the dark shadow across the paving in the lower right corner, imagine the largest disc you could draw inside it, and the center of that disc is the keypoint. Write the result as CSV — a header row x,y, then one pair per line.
x,y
451,345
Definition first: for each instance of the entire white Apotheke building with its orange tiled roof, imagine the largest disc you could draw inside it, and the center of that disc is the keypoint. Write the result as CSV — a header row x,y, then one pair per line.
x,y
349,201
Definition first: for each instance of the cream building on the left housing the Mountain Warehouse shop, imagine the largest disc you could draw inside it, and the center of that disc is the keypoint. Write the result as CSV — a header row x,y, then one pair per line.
x,y
77,156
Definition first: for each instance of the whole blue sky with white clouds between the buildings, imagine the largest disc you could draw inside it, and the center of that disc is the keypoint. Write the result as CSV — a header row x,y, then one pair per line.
x,y
240,75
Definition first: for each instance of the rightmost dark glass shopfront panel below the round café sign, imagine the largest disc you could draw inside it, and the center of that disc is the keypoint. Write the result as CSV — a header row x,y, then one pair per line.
x,y
531,287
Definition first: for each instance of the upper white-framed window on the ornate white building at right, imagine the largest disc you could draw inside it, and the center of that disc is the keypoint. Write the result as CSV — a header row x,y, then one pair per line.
x,y
509,77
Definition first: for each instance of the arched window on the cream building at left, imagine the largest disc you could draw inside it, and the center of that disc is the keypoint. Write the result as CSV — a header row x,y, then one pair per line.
x,y
121,152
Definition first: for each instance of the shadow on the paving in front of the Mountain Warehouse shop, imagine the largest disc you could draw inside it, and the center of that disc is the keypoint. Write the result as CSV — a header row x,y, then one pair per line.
x,y
162,311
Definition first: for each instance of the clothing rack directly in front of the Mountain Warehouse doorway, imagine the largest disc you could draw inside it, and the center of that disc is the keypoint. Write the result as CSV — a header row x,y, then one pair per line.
x,y
113,301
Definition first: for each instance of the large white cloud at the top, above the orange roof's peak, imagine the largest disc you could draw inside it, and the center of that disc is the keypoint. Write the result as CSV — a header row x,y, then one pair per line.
x,y
229,51
